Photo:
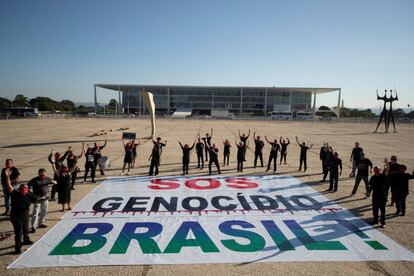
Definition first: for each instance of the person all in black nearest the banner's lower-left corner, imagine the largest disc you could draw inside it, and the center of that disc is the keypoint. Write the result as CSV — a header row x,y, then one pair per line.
x,y
19,213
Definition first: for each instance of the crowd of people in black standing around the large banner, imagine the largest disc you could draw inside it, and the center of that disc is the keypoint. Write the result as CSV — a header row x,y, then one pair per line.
x,y
388,177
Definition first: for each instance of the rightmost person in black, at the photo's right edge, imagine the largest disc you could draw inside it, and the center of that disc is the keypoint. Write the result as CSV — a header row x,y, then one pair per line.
x,y
401,188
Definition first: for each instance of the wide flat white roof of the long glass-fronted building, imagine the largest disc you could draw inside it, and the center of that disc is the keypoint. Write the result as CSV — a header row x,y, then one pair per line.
x,y
122,87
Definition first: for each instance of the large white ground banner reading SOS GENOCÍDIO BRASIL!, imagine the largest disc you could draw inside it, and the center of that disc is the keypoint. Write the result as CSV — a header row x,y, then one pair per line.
x,y
183,220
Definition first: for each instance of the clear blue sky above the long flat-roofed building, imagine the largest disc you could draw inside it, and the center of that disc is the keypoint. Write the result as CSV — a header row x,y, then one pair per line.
x,y
61,48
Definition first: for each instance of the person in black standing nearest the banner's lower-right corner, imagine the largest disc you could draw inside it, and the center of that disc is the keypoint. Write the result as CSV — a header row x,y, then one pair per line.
x,y
377,187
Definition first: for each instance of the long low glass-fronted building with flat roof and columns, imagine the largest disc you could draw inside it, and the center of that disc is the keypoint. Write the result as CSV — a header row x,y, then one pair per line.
x,y
236,100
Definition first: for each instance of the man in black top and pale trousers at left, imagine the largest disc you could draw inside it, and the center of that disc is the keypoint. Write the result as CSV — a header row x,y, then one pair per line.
x,y
40,186
